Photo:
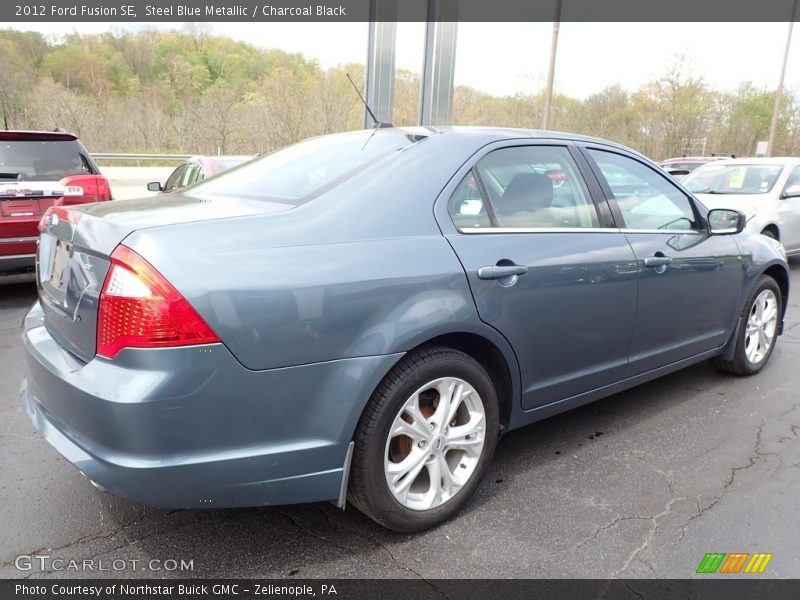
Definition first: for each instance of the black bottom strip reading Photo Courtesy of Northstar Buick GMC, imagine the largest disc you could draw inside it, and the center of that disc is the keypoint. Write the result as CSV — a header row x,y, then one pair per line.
x,y
733,587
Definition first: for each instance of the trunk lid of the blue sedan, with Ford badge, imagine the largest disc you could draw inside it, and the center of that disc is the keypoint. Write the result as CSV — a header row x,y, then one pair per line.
x,y
76,242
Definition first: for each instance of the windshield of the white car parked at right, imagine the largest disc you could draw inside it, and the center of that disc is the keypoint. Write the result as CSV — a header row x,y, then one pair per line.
x,y
733,179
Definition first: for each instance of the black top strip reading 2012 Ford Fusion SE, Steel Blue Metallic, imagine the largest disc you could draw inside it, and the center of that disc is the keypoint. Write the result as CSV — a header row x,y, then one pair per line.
x,y
132,11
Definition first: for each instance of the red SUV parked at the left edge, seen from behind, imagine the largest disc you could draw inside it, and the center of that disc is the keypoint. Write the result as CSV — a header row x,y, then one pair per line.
x,y
40,169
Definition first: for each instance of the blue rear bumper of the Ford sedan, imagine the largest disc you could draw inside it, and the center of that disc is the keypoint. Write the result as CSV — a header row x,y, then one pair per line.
x,y
191,428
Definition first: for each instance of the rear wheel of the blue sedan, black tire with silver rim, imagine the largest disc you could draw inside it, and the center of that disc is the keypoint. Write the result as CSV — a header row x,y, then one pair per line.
x,y
401,423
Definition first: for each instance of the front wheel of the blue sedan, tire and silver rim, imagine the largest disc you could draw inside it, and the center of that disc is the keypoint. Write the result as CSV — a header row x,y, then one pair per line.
x,y
756,338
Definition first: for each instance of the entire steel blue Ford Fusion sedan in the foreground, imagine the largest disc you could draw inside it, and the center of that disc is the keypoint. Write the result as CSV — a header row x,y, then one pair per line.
x,y
361,315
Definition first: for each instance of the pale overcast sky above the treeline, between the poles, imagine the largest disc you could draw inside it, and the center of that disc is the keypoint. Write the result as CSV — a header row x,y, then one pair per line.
x,y
509,58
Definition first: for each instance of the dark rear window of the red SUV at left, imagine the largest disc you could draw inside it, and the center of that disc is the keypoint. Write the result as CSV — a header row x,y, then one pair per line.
x,y
41,161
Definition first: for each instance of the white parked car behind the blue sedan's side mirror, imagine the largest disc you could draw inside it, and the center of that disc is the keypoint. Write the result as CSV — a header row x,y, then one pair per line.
x,y
767,190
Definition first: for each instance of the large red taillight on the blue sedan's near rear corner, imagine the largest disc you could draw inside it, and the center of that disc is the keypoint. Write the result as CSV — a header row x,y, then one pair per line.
x,y
139,308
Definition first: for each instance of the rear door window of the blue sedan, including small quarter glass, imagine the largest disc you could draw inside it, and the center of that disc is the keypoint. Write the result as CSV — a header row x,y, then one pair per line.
x,y
528,187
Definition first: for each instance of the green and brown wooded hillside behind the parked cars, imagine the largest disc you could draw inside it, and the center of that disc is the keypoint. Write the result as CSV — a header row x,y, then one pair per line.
x,y
189,91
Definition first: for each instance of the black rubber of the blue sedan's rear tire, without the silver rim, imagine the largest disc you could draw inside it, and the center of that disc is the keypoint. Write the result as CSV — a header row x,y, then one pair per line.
x,y
368,489
